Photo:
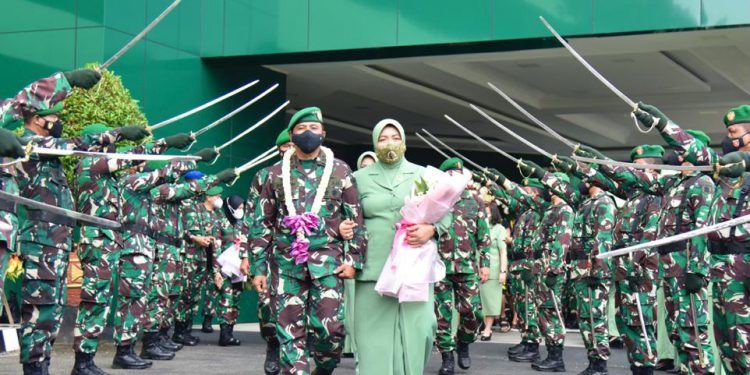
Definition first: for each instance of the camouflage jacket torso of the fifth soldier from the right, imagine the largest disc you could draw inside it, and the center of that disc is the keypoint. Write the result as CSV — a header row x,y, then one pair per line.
x,y
556,237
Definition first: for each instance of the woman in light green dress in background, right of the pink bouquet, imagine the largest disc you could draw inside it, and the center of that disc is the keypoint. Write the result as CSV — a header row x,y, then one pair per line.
x,y
492,291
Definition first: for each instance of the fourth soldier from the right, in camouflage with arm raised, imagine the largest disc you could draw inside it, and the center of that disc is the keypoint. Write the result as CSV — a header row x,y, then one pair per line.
x,y
592,235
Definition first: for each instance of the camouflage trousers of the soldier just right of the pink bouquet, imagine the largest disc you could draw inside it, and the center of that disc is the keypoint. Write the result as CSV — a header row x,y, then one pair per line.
x,y
461,291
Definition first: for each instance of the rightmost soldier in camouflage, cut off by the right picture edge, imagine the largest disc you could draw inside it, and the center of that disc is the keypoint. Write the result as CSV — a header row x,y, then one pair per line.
x,y
730,257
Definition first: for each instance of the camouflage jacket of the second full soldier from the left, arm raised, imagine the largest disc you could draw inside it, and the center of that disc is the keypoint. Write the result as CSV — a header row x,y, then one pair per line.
x,y
99,192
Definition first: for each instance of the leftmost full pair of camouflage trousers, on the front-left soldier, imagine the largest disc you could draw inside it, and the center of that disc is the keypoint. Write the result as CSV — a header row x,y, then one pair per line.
x,y
44,294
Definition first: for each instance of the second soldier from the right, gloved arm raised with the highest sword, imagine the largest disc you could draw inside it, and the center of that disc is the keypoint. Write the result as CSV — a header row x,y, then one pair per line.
x,y
685,206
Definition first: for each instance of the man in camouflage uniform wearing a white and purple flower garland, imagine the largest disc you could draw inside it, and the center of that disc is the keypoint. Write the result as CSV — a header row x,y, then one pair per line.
x,y
310,288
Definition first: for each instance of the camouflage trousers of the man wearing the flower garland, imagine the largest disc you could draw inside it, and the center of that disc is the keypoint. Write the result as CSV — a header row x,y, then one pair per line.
x,y
315,305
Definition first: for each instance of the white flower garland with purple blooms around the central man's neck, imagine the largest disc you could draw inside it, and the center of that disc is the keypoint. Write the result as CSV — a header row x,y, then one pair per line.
x,y
302,225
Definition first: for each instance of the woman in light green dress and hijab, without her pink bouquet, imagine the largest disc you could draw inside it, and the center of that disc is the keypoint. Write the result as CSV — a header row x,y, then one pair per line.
x,y
391,337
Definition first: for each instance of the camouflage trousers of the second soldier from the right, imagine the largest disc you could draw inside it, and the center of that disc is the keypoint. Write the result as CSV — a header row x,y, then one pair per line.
x,y
682,325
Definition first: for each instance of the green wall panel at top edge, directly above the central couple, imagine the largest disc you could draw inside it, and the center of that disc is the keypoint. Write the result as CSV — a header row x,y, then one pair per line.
x,y
341,24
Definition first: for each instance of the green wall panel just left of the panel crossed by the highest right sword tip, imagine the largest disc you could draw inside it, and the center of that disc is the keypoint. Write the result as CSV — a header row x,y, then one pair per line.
x,y
444,21
